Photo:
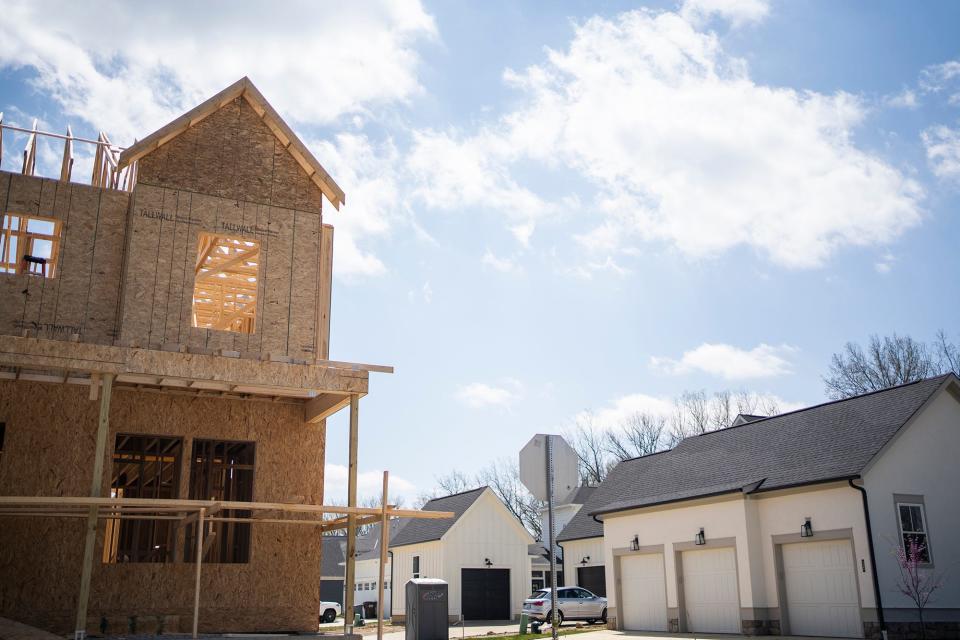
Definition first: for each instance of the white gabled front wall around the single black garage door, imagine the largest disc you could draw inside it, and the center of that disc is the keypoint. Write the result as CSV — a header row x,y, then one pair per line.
x,y
487,530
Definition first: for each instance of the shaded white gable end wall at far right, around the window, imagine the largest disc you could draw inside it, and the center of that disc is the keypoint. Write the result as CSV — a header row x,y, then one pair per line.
x,y
921,461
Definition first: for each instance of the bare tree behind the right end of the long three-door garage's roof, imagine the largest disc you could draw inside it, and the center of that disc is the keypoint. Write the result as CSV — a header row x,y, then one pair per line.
x,y
887,362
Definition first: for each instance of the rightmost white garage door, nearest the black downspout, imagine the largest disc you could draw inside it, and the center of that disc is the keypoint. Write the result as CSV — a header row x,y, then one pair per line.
x,y
821,585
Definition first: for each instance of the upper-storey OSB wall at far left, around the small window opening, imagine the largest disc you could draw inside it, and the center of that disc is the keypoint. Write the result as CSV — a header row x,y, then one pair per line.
x,y
83,297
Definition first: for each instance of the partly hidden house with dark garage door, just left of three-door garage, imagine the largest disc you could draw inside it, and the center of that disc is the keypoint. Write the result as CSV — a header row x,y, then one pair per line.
x,y
582,543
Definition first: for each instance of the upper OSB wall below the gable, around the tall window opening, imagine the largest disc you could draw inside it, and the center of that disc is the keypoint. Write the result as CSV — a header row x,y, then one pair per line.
x,y
158,289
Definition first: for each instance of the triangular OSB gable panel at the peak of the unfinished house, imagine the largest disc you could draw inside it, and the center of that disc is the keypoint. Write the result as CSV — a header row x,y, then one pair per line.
x,y
232,154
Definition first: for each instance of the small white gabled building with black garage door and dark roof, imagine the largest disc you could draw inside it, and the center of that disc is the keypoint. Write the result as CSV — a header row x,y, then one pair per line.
x,y
482,552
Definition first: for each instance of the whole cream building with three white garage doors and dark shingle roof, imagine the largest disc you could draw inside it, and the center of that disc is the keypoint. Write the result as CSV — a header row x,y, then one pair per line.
x,y
788,524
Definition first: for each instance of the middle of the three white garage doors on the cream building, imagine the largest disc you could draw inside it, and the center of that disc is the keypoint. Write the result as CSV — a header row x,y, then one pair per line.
x,y
711,596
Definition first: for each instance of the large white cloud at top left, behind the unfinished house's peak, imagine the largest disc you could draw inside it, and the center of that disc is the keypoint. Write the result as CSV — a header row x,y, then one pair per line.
x,y
130,68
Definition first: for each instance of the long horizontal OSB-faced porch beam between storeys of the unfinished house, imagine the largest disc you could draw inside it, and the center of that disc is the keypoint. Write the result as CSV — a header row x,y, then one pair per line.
x,y
76,356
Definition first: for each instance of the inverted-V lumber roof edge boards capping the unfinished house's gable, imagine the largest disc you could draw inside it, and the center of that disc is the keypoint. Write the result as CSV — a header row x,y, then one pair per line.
x,y
242,87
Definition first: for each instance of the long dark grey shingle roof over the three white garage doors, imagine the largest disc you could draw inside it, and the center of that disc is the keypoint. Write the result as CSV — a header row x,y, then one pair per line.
x,y
831,441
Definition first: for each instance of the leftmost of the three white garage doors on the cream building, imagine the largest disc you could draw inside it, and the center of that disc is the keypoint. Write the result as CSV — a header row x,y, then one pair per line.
x,y
643,593
